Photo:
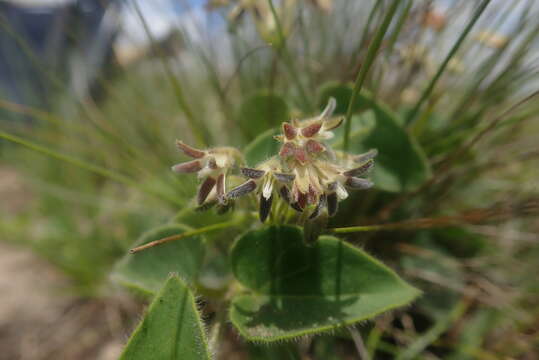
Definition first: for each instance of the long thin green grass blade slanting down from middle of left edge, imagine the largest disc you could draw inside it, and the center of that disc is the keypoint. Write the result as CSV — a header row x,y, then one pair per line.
x,y
87,166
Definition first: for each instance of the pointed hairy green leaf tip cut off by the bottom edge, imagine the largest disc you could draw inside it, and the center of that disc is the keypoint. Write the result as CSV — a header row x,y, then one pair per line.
x,y
171,328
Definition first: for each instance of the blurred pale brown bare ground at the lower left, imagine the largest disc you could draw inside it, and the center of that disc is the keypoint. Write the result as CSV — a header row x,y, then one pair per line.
x,y
40,317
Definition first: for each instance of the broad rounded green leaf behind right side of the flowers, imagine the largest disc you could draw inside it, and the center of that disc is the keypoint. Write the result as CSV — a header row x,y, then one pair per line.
x,y
401,164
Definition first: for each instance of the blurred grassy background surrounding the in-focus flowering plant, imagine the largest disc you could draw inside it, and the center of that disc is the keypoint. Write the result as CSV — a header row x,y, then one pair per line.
x,y
93,94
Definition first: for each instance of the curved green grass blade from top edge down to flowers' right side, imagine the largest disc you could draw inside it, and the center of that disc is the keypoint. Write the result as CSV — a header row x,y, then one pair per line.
x,y
362,75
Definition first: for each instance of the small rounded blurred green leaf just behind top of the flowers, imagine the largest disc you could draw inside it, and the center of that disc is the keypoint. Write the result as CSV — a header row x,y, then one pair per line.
x,y
261,112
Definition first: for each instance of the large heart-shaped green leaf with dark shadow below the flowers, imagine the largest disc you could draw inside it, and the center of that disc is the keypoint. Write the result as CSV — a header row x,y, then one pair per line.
x,y
297,290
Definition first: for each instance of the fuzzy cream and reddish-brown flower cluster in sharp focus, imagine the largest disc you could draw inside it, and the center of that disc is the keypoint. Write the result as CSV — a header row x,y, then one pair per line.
x,y
306,173
